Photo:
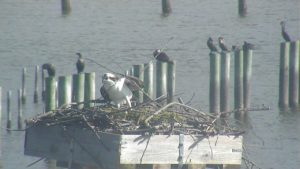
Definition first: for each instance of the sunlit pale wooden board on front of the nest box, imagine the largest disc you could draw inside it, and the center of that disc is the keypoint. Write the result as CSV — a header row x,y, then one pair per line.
x,y
162,149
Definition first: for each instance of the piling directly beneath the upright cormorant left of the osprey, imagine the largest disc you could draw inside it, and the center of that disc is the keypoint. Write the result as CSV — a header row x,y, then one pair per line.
x,y
78,89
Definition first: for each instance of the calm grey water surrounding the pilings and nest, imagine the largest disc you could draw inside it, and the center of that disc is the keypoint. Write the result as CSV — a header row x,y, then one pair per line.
x,y
120,33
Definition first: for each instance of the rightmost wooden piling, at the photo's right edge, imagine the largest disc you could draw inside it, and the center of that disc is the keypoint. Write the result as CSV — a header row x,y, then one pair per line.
x,y
294,75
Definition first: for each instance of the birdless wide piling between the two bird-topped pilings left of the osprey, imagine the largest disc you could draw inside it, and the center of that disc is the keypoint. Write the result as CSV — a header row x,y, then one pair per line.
x,y
64,90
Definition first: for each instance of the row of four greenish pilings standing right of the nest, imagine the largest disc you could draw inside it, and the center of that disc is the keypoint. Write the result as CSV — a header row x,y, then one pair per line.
x,y
219,99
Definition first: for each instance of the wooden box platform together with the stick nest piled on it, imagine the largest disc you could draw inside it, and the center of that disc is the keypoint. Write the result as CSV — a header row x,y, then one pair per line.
x,y
189,138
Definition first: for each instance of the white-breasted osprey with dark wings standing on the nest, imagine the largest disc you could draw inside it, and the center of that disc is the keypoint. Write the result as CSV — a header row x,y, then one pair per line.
x,y
119,89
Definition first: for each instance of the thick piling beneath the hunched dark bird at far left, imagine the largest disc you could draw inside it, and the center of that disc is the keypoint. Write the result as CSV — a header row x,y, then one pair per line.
x,y
50,94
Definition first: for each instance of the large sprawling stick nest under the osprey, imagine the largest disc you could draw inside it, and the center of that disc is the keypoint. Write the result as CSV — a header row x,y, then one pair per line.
x,y
150,117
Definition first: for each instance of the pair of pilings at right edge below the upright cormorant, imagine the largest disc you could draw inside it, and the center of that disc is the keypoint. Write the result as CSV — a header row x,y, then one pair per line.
x,y
289,75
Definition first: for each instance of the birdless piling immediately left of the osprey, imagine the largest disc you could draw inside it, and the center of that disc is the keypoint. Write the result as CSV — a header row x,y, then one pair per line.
x,y
89,89
